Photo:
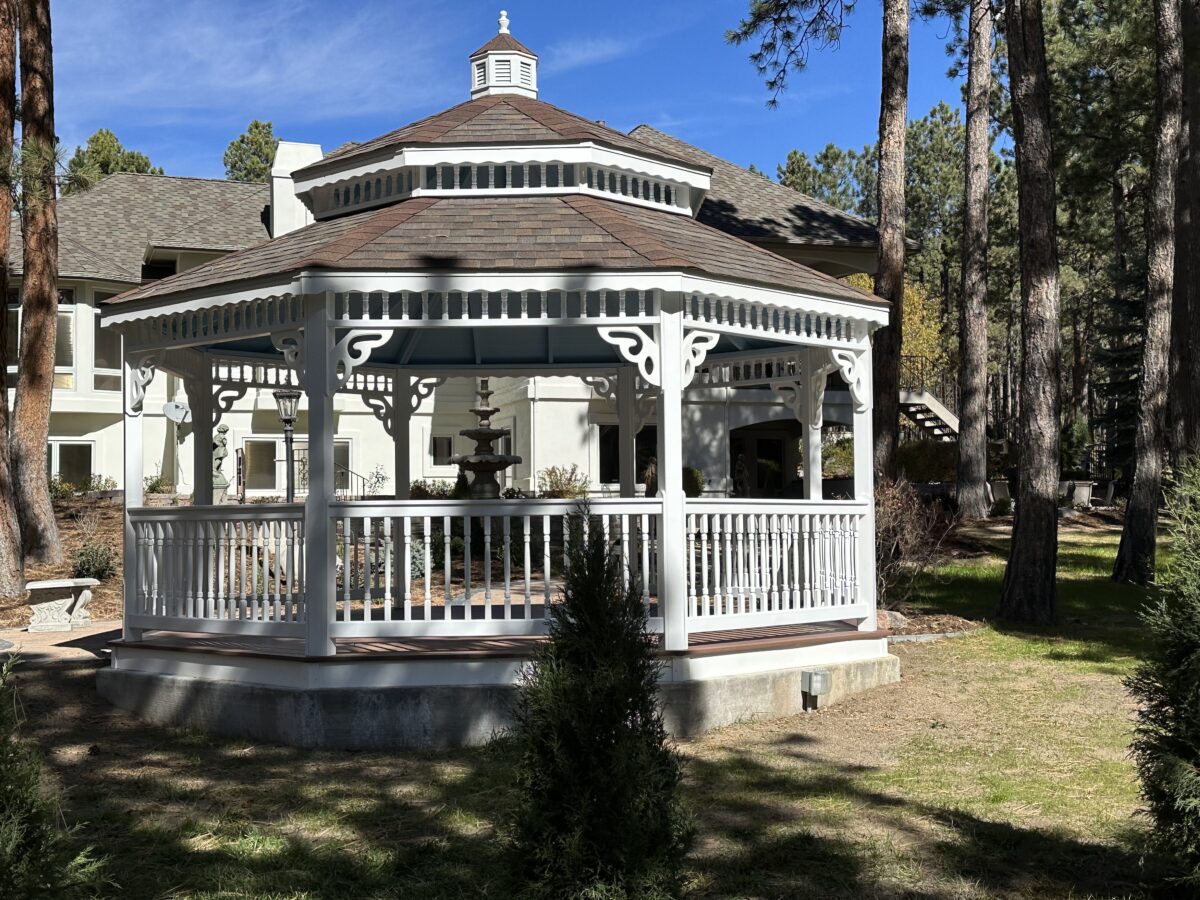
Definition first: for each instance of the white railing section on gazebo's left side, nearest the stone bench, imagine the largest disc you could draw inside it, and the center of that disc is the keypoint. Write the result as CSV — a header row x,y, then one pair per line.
x,y
226,569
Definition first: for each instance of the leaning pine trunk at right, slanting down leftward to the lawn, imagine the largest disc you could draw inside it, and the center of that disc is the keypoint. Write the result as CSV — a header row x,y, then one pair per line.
x,y
1136,556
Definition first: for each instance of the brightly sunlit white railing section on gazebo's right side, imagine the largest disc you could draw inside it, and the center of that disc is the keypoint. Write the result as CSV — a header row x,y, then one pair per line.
x,y
759,563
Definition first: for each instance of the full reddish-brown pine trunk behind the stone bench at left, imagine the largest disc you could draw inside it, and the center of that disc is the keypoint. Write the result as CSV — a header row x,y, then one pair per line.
x,y
40,292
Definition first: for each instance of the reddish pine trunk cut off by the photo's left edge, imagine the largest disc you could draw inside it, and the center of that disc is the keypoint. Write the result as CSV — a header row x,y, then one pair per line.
x,y
13,581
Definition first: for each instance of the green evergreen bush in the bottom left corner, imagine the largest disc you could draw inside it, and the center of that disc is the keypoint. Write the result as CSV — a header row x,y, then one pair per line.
x,y
37,859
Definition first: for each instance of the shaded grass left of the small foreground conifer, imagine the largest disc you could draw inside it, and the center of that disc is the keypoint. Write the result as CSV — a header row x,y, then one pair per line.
x,y
184,814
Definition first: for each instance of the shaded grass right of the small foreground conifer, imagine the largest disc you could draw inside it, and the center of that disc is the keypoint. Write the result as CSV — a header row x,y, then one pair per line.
x,y
815,830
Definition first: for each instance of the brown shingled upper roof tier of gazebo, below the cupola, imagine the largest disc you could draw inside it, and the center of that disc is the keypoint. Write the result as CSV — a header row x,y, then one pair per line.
x,y
497,119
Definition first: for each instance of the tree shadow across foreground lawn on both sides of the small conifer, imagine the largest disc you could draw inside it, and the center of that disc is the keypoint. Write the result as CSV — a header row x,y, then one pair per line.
x,y
182,814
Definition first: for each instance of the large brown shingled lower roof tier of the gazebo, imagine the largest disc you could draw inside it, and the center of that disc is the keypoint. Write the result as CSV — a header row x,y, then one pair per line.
x,y
499,233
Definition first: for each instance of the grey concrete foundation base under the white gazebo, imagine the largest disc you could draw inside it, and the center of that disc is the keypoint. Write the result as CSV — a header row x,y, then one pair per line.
x,y
424,716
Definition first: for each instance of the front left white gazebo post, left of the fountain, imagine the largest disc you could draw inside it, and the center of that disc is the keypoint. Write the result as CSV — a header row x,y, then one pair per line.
x,y
319,543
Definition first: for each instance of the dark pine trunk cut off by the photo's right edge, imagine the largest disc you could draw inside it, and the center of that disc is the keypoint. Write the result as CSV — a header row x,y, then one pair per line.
x,y
1191,201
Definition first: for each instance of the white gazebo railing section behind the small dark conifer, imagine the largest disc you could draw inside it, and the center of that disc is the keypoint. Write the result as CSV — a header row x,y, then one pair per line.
x,y
473,567
